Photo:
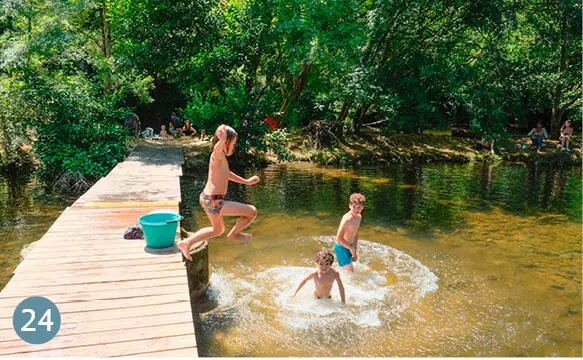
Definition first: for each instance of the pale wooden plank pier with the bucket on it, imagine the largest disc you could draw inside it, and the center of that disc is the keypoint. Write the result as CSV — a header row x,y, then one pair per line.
x,y
116,297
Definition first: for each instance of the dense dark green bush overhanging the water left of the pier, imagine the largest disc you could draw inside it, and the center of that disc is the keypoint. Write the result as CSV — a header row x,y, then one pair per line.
x,y
79,132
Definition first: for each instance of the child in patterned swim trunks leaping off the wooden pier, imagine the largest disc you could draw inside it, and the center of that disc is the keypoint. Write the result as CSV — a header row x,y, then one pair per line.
x,y
212,199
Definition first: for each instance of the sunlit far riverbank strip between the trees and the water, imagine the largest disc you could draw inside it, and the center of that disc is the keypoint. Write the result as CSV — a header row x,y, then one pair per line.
x,y
372,148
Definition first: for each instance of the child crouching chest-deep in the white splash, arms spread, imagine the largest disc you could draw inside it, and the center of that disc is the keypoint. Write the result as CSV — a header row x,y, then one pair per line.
x,y
324,277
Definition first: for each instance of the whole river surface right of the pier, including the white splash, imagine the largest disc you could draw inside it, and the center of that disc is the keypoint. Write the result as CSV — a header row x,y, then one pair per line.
x,y
495,248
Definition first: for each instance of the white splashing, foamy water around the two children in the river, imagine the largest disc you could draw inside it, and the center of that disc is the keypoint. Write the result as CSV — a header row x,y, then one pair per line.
x,y
376,295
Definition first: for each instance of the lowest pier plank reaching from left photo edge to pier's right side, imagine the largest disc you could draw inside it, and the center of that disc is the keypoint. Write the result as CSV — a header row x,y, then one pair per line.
x,y
123,348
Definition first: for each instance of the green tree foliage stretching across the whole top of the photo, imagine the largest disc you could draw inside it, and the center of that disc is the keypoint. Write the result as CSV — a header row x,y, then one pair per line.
x,y
410,65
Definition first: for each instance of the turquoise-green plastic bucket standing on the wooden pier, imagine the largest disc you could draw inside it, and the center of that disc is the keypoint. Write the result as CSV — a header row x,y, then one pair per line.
x,y
159,228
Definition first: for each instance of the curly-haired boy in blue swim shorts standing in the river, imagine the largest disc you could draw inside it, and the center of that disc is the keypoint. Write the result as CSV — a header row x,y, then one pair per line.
x,y
346,244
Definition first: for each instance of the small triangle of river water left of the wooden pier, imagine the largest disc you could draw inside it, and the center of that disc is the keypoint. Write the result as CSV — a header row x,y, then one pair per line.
x,y
27,211
